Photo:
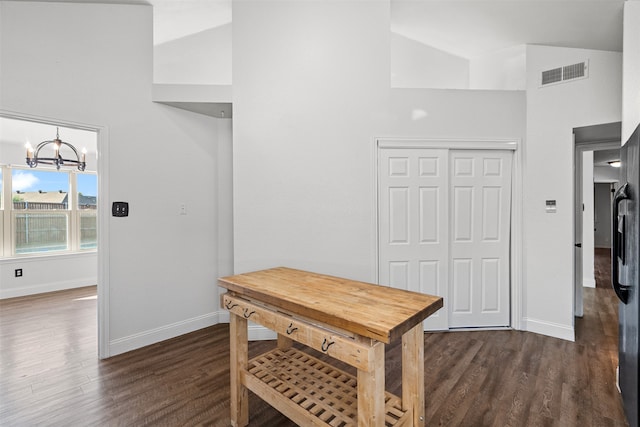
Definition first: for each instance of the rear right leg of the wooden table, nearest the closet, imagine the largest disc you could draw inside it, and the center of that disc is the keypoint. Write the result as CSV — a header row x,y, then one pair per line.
x,y
413,374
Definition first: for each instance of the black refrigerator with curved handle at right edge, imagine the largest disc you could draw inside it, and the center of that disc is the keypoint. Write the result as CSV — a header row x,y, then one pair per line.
x,y
625,266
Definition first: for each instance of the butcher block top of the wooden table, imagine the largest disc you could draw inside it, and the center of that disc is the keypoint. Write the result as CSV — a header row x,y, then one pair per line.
x,y
378,312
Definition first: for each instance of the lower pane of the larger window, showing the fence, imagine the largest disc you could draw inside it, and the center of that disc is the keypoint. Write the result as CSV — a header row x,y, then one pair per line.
x,y
41,232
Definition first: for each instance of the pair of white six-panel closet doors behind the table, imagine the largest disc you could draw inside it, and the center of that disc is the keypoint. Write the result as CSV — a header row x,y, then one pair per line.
x,y
444,227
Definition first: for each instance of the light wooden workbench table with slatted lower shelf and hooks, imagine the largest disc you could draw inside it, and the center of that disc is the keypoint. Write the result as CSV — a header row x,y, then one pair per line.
x,y
348,320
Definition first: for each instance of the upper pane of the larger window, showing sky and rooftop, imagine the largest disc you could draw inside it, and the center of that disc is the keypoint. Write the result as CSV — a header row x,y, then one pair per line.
x,y
41,190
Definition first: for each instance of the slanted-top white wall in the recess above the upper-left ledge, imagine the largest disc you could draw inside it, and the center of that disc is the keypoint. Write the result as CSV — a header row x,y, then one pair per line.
x,y
201,58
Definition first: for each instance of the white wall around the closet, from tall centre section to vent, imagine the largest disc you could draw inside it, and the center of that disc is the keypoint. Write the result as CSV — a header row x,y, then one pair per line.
x,y
303,143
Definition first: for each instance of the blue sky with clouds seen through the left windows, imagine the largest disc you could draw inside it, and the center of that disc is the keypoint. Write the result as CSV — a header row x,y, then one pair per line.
x,y
34,180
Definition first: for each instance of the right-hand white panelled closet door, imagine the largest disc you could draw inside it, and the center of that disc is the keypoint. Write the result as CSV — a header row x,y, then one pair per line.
x,y
480,191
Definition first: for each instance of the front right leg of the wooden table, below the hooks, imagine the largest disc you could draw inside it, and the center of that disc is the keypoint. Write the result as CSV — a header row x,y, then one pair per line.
x,y
371,388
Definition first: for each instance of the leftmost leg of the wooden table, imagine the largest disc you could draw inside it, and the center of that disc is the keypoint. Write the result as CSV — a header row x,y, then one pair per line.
x,y
239,358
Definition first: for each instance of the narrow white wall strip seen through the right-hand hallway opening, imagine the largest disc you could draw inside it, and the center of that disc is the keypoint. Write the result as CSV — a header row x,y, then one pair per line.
x,y
588,277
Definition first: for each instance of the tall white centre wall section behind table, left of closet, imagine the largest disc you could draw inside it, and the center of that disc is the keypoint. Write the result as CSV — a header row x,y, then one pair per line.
x,y
311,90
